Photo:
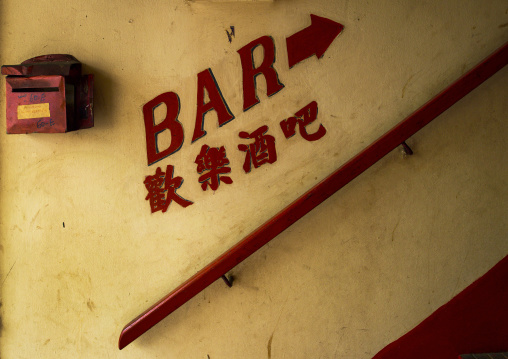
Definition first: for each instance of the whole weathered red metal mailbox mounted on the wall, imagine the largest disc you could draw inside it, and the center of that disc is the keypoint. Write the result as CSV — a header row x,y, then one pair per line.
x,y
48,94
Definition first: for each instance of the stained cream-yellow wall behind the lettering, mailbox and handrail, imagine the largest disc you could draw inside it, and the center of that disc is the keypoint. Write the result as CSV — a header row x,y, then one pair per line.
x,y
353,275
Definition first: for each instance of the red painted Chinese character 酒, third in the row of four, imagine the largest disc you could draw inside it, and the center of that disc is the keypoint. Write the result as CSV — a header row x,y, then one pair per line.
x,y
259,152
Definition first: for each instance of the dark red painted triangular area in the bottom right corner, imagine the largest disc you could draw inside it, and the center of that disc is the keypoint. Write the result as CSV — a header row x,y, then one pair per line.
x,y
474,321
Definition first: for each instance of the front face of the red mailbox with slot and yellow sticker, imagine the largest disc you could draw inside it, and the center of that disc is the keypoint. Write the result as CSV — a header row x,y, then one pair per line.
x,y
36,104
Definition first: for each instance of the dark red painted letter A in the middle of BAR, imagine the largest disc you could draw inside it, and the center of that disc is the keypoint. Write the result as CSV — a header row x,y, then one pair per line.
x,y
206,80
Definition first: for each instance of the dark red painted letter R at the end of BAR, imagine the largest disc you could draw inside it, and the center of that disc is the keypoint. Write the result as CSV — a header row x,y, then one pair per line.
x,y
273,85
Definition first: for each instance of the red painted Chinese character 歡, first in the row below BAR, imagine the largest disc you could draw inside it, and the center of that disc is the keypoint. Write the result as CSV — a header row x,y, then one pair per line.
x,y
159,199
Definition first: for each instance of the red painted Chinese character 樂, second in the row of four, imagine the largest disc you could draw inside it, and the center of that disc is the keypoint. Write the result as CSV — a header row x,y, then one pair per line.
x,y
213,160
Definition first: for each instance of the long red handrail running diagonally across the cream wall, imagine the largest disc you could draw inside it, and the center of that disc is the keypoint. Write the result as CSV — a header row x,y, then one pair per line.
x,y
296,210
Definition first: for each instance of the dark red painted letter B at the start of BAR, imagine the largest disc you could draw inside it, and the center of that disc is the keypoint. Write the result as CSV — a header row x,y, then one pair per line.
x,y
172,102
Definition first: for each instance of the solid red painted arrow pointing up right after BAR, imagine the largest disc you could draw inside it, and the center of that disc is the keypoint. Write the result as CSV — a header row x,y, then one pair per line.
x,y
314,39
